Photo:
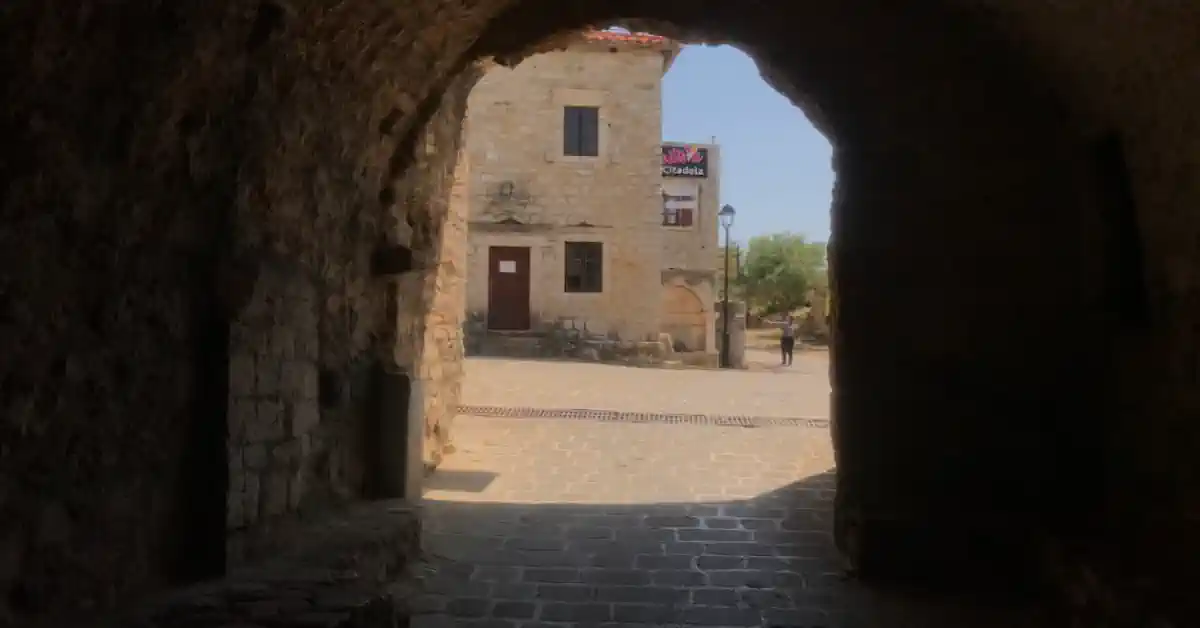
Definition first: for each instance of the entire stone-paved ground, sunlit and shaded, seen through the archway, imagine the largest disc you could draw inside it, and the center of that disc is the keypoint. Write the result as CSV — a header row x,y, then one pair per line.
x,y
537,523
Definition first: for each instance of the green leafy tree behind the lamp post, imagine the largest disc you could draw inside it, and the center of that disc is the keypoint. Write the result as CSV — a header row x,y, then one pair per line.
x,y
779,271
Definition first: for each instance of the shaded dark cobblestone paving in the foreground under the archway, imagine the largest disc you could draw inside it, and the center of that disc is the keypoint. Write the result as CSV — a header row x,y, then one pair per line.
x,y
766,561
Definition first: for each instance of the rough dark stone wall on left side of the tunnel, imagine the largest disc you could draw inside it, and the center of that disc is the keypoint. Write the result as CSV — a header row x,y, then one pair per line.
x,y
237,176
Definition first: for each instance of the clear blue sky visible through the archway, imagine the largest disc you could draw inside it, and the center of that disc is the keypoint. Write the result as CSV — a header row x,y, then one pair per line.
x,y
776,168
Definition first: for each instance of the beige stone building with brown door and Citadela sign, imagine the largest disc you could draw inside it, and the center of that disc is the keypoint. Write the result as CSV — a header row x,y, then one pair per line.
x,y
579,216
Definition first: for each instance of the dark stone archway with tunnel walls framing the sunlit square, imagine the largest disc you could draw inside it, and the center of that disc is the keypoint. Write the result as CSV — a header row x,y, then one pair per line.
x,y
1021,169
